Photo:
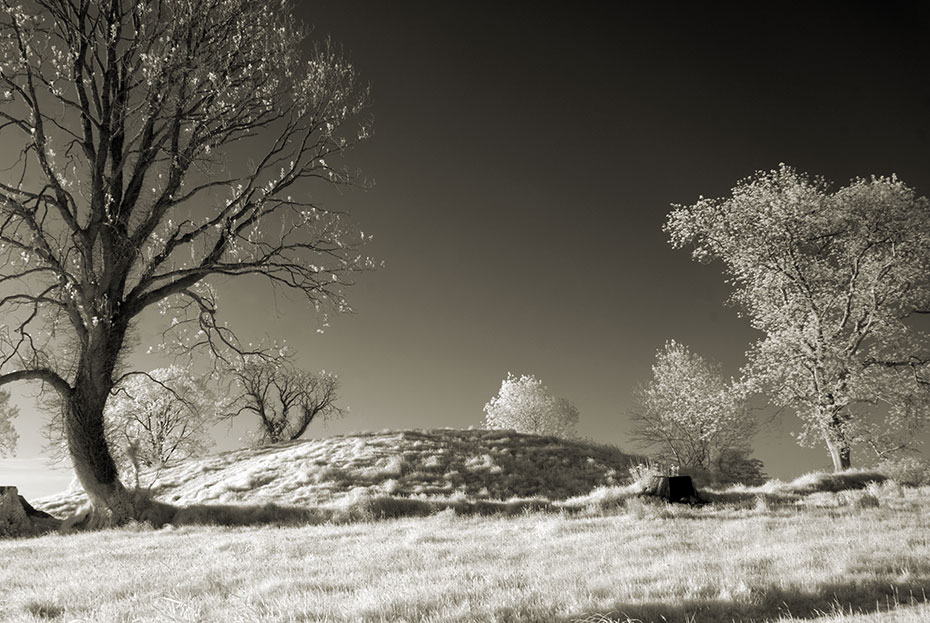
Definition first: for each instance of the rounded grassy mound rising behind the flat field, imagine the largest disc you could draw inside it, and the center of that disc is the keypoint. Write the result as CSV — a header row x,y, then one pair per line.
x,y
429,464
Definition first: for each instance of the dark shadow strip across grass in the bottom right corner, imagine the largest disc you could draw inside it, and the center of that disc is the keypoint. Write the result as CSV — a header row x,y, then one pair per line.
x,y
775,604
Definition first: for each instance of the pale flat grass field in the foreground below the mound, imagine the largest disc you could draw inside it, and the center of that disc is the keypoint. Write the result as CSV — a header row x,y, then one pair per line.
x,y
845,556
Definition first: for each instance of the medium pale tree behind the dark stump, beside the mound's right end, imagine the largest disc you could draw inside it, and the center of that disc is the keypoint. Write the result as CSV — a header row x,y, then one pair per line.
x,y
692,416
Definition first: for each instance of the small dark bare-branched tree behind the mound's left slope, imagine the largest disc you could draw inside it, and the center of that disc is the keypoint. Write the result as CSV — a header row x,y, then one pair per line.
x,y
285,399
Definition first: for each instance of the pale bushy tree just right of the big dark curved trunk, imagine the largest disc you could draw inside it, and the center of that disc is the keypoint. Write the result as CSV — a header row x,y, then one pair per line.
x,y
157,418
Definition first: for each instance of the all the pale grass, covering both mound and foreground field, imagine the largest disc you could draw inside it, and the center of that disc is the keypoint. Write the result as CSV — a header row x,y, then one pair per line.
x,y
474,526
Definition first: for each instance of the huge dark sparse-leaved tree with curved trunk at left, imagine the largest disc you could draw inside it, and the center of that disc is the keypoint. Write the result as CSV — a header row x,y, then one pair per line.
x,y
163,144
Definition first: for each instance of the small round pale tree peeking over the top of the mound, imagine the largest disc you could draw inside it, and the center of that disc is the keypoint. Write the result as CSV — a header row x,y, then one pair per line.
x,y
525,405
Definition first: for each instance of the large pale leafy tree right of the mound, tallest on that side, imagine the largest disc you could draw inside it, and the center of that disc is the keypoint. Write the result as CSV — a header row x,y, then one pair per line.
x,y
830,277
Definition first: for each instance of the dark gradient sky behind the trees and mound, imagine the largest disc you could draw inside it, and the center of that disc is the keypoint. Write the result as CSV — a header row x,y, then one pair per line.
x,y
523,162
